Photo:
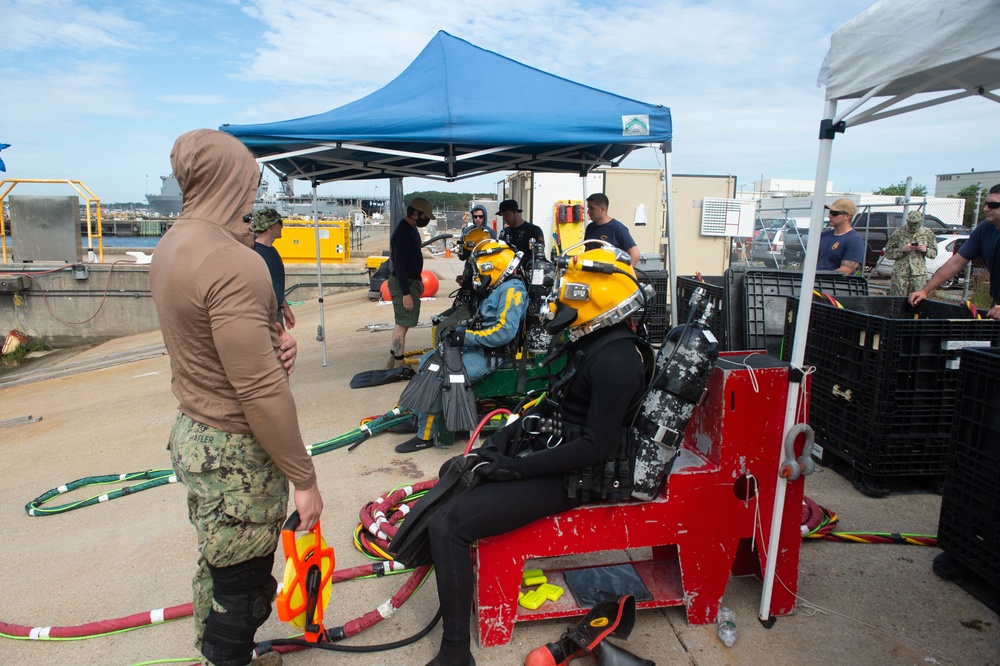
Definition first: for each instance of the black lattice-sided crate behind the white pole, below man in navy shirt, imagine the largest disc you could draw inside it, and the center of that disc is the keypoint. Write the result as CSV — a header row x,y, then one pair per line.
x,y
765,294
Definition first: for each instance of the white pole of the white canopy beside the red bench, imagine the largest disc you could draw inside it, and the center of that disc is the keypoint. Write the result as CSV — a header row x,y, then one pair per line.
x,y
798,352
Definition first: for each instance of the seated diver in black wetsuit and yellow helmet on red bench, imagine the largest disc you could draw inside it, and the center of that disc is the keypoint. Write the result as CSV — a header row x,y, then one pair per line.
x,y
564,452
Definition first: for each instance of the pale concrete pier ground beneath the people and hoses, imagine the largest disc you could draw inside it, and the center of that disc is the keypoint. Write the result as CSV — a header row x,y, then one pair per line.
x,y
111,412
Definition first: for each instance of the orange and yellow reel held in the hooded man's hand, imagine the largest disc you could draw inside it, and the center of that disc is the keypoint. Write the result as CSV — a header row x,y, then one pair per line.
x,y
306,586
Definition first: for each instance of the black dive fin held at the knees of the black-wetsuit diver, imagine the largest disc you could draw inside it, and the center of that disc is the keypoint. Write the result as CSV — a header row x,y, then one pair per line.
x,y
411,545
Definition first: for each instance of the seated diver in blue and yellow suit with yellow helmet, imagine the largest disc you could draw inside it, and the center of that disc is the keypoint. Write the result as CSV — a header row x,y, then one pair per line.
x,y
468,352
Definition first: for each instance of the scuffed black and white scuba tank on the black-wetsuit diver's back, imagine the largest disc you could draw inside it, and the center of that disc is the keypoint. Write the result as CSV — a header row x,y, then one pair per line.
x,y
684,365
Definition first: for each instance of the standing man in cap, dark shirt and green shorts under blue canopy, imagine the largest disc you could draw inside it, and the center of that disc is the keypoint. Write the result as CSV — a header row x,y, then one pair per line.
x,y
405,285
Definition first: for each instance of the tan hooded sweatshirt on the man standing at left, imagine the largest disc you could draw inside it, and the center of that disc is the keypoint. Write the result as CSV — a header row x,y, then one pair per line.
x,y
216,305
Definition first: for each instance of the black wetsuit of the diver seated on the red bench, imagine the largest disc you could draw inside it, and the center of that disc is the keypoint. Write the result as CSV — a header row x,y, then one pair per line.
x,y
604,390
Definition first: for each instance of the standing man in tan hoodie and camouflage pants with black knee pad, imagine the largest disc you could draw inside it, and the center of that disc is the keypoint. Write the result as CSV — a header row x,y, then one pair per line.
x,y
236,442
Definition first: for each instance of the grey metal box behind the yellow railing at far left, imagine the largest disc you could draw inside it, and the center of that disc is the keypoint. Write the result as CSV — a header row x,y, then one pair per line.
x,y
46,228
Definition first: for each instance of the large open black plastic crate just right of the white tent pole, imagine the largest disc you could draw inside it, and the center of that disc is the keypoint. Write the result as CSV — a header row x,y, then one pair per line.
x,y
886,380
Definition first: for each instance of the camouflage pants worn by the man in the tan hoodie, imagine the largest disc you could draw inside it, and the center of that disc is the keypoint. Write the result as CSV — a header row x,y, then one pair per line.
x,y
237,499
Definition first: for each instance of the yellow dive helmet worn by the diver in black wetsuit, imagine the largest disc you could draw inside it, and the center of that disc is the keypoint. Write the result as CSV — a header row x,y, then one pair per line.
x,y
594,289
